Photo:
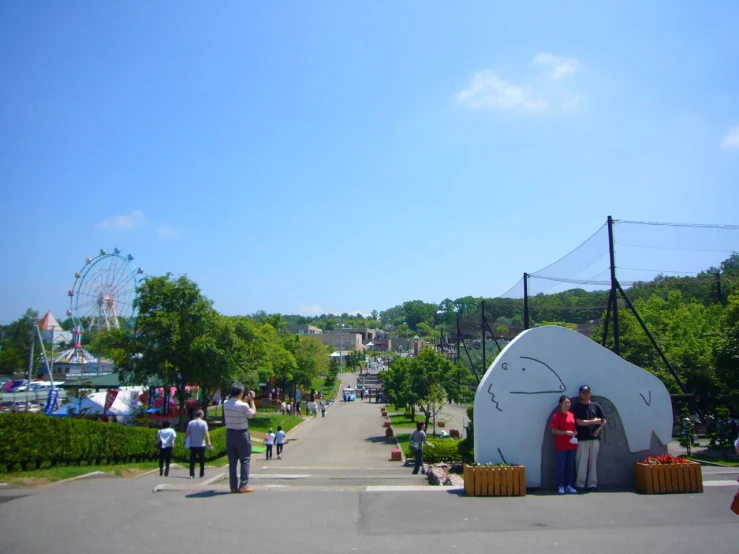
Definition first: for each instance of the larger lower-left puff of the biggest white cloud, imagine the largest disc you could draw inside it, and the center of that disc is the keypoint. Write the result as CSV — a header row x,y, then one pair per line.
x,y
487,91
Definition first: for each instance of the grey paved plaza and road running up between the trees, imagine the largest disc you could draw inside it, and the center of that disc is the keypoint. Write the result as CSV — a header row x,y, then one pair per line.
x,y
335,490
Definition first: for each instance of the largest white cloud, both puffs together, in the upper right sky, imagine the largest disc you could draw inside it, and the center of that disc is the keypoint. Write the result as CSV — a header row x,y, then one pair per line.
x,y
546,91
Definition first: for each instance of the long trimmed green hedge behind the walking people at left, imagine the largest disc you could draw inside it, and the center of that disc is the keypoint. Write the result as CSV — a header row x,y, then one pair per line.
x,y
29,440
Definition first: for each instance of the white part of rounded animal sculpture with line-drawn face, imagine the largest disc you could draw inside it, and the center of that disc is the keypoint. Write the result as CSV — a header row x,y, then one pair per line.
x,y
521,388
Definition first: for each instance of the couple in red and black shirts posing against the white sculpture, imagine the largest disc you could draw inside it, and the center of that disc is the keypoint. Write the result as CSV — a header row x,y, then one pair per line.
x,y
577,431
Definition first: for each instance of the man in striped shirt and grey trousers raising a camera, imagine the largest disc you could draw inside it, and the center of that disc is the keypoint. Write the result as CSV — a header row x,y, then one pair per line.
x,y
237,411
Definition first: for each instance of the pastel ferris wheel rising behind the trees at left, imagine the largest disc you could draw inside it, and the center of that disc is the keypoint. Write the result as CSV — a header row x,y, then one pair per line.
x,y
104,291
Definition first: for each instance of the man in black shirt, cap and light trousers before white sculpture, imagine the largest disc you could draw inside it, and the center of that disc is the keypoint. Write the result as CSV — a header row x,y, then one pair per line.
x,y
589,420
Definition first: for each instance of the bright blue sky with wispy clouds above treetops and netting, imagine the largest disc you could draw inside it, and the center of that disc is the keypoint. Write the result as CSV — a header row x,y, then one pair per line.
x,y
304,157
